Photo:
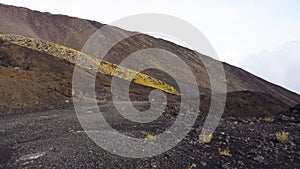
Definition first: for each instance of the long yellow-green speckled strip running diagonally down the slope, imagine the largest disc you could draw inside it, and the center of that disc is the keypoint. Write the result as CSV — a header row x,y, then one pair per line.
x,y
88,62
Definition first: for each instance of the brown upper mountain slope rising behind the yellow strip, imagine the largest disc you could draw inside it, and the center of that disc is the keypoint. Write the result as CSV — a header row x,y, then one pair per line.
x,y
76,31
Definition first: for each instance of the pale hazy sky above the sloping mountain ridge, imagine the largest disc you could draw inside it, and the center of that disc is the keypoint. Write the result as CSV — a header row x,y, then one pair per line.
x,y
261,36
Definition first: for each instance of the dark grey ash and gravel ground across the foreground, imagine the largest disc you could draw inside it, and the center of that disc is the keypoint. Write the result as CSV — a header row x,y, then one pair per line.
x,y
55,139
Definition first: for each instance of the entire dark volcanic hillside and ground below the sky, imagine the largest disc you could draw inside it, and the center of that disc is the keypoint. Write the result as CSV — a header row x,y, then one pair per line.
x,y
41,128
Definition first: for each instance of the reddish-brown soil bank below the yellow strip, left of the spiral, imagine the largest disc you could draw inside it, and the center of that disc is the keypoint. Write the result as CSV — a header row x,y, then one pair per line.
x,y
30,78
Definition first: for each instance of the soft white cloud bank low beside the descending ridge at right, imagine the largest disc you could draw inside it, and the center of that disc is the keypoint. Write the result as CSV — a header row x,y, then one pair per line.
x,y
280,65
